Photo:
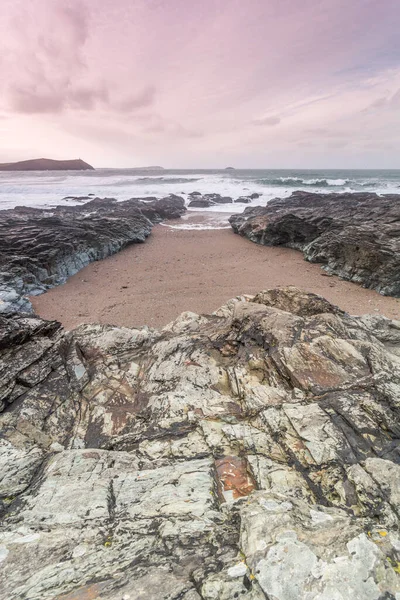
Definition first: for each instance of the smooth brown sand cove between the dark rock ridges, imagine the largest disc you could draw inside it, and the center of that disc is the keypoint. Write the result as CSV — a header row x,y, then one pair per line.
x,y
178,270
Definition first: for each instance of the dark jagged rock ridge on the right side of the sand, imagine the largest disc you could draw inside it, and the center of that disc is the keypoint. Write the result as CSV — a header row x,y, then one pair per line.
x,y
355,236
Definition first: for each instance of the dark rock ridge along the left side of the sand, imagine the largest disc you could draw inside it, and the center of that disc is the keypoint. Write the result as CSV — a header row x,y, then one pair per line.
x,y
41,248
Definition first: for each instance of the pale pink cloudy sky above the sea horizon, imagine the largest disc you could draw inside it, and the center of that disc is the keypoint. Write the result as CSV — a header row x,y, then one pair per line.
x,y
202,83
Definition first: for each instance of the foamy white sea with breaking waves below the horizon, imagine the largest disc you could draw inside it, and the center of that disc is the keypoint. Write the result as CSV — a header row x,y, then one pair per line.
x,y
51,188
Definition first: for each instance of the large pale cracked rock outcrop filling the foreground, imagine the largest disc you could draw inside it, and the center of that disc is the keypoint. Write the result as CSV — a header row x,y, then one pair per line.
x,y
252,453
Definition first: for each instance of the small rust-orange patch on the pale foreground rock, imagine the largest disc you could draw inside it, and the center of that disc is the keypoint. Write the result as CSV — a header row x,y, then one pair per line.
x,y
234,478
